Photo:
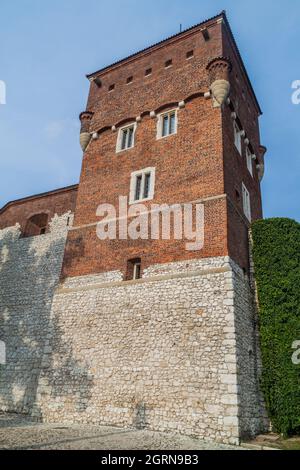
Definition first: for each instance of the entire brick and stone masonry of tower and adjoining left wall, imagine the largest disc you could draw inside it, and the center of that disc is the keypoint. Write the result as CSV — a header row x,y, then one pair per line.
x,y
179,348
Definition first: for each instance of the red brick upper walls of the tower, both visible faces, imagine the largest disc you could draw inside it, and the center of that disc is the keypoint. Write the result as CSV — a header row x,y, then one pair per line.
x,y
199,162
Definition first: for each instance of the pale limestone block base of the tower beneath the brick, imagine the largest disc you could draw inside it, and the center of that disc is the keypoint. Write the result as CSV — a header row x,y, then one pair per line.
x,y
162,352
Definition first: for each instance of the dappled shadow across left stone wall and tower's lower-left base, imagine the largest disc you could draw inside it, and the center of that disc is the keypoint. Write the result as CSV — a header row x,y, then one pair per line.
x,y
29,274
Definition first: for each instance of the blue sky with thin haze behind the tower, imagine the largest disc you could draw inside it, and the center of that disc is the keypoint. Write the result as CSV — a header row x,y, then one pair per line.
x,y
47,47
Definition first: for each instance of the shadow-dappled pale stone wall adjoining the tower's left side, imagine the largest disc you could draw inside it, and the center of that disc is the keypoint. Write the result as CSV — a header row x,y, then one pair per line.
x,y
29,273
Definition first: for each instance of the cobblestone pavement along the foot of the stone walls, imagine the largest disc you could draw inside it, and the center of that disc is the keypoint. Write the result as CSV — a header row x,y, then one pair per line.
x,y
18,432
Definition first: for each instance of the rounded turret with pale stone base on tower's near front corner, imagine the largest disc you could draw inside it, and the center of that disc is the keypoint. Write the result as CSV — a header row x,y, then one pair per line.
x,y
219,70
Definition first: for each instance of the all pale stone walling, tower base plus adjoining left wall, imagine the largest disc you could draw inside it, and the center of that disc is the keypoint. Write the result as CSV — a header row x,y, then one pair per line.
x,y
176,350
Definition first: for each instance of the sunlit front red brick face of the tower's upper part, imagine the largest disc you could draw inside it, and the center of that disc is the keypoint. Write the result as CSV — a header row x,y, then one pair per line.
x,y
188,165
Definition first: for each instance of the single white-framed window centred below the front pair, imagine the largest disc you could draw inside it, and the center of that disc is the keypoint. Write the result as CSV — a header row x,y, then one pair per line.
x,y
142,185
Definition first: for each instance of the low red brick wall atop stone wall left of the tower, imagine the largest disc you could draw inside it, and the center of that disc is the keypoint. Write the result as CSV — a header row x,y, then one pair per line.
x,y
55,202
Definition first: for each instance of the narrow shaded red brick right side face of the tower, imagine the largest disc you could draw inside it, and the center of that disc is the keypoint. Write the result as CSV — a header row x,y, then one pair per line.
x,y
235,165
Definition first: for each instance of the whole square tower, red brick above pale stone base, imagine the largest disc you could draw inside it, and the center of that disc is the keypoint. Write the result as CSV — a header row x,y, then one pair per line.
x,y
167,337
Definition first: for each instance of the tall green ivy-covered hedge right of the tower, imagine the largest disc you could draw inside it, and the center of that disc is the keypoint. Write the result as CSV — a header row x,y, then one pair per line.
x,y
276,252
